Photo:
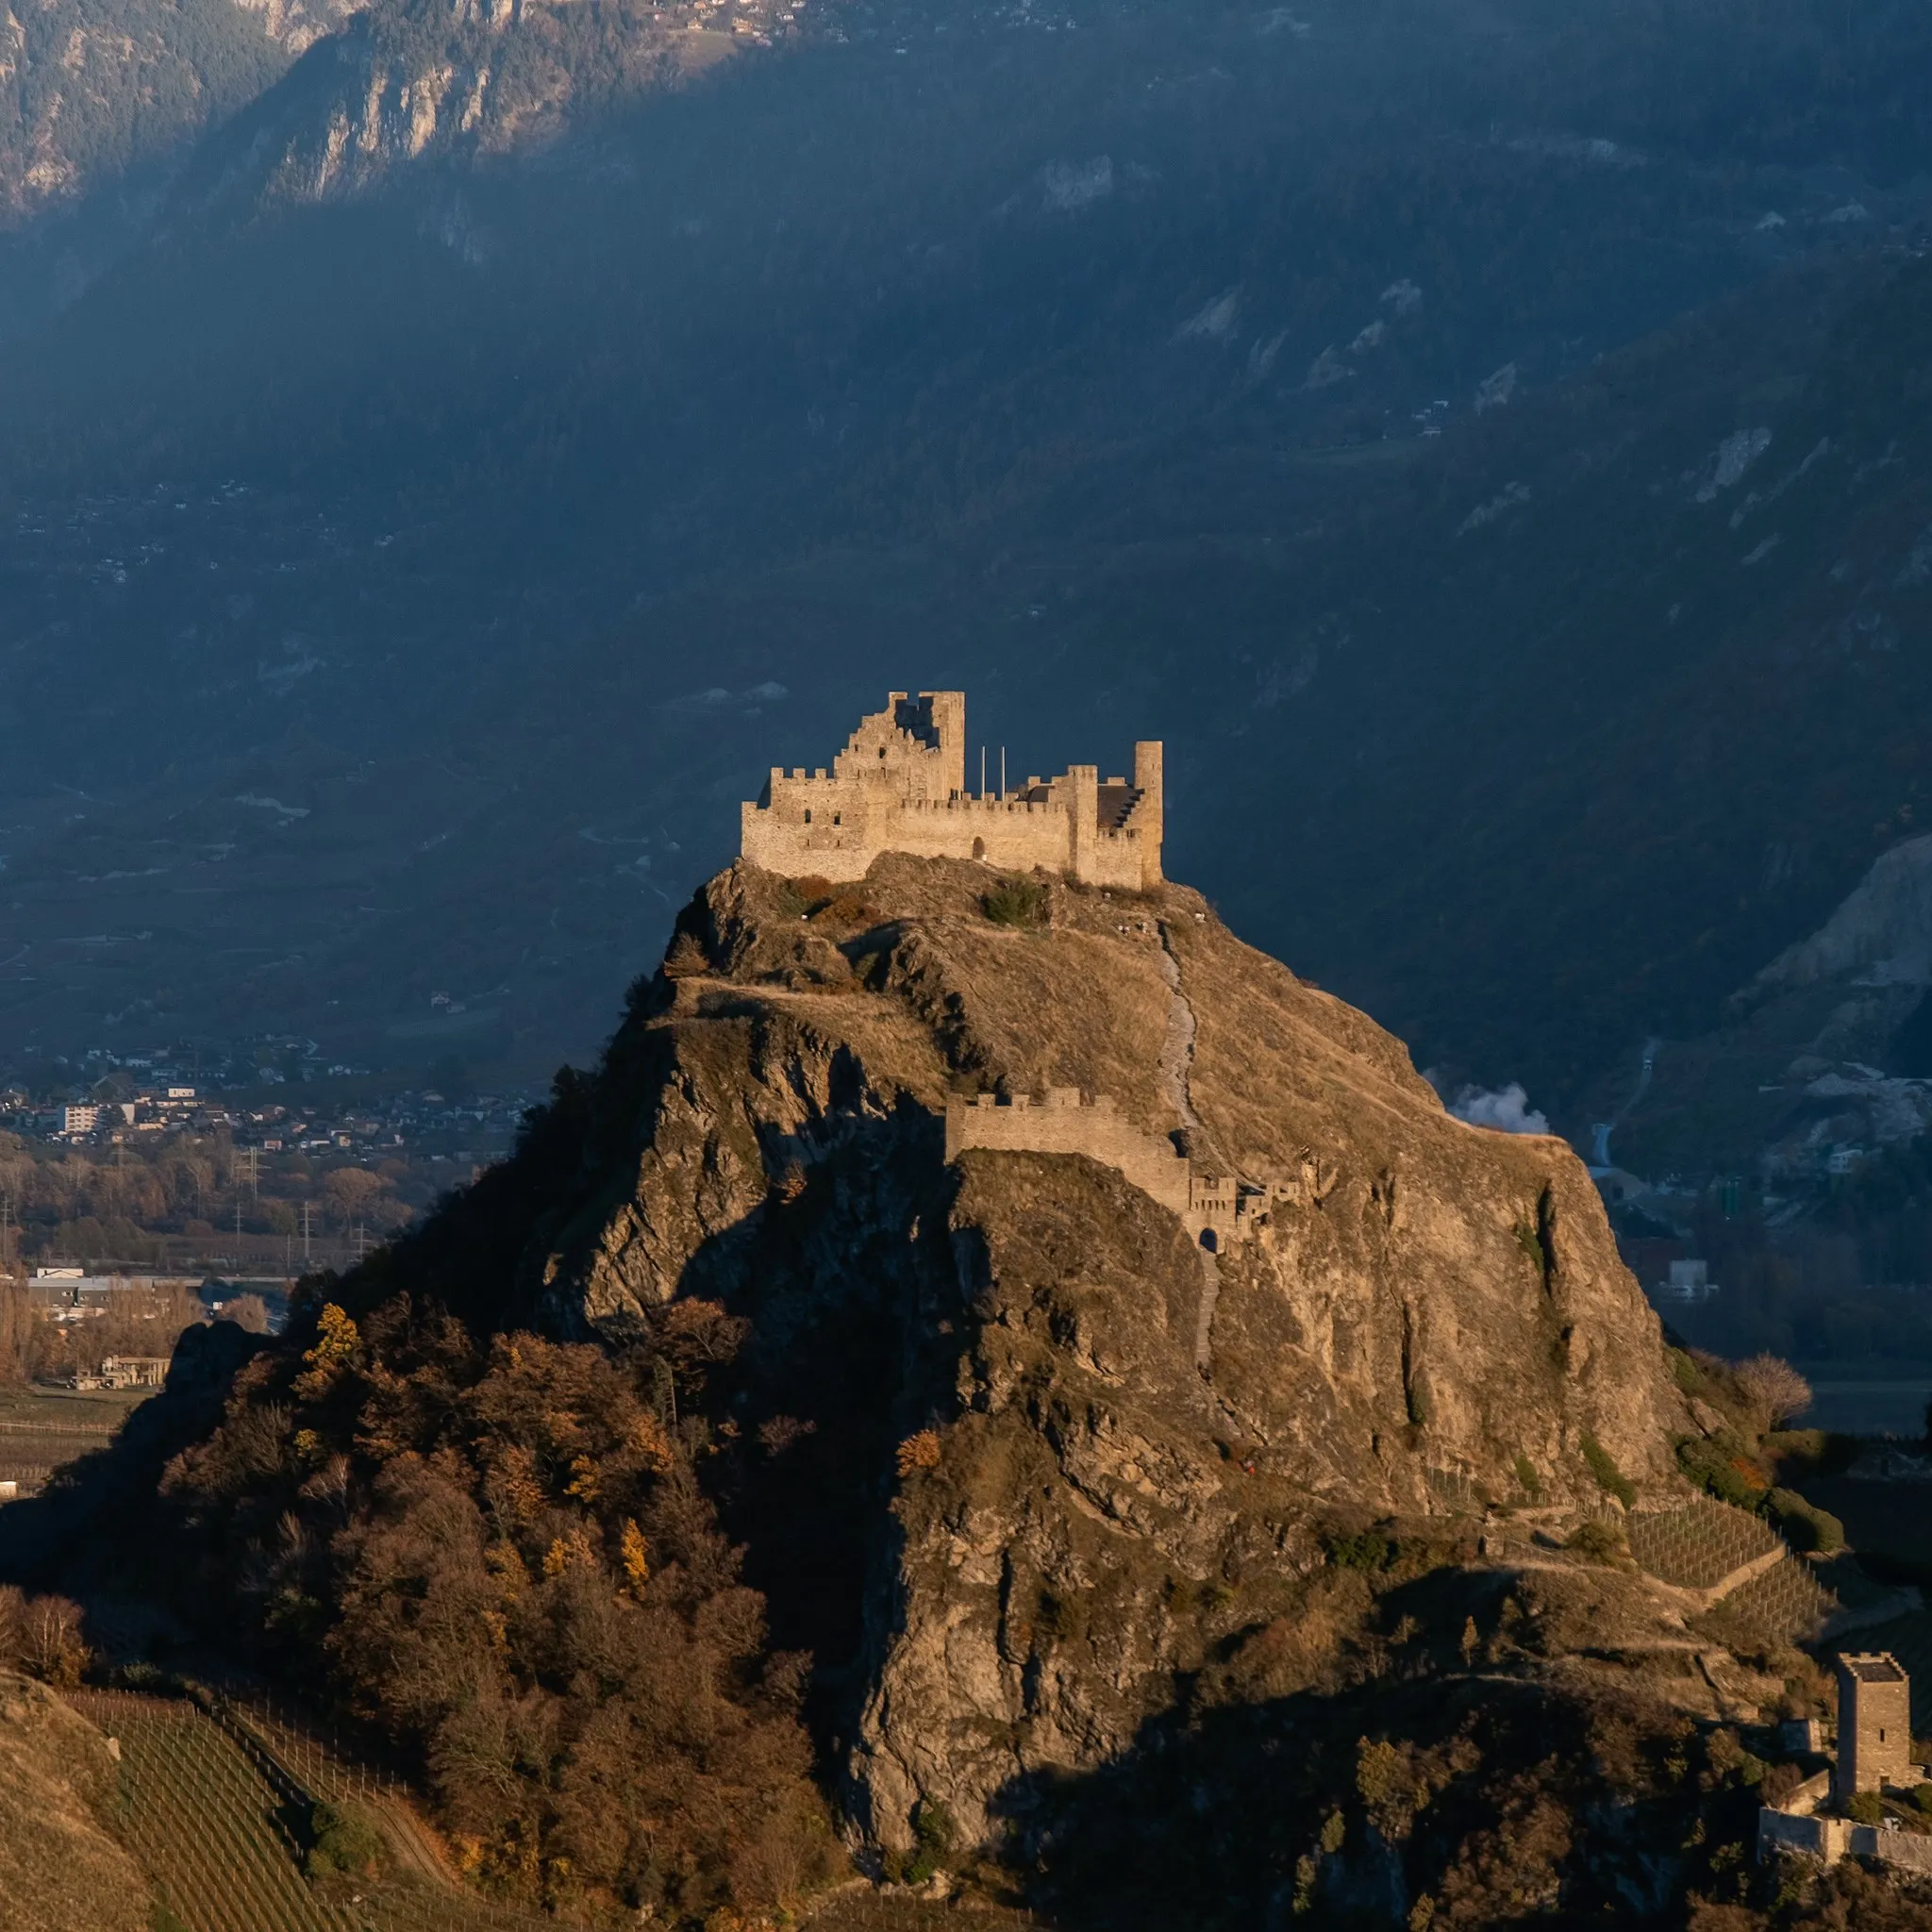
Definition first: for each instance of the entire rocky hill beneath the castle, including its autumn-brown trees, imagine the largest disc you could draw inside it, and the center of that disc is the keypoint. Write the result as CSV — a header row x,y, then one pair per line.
x,y
1224,1477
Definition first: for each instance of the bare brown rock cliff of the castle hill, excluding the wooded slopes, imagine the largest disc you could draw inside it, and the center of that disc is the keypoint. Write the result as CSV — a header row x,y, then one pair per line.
x,y
1085,1435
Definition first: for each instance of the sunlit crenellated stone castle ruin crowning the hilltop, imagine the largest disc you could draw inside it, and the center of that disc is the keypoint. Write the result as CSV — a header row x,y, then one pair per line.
x,y
901,787
